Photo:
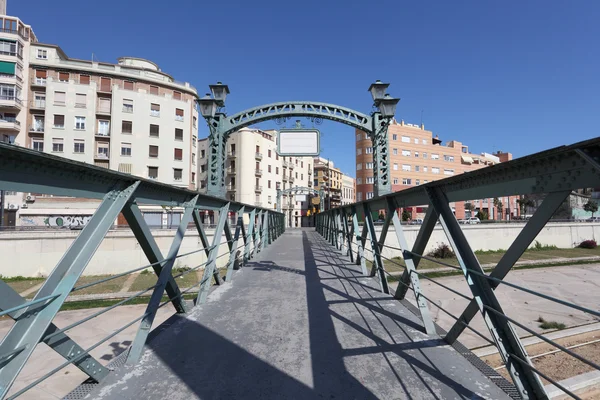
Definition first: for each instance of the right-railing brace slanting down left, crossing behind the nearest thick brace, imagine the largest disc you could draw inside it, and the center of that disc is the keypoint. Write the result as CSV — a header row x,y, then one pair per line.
x,y
533,227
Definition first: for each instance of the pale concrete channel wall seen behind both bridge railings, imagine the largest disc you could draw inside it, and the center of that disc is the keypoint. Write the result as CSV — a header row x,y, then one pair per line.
x,y
36,253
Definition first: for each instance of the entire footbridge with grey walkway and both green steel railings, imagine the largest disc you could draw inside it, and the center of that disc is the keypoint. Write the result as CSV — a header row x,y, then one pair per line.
x,y
297,313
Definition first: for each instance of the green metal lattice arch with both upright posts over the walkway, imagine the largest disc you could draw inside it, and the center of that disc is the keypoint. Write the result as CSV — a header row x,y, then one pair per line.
x,y
222,126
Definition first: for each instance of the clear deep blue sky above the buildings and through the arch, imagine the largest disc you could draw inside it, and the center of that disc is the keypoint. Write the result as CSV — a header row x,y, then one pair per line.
x,y
513,76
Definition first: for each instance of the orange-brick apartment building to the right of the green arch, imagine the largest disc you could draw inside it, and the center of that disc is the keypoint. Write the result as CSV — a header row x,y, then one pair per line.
x,y
418,157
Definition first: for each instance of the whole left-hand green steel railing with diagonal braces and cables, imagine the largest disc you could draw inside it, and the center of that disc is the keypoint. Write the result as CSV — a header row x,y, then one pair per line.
x,y
24,170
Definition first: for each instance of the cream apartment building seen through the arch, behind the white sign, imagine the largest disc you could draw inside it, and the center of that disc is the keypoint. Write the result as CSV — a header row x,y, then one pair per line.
x,y
254,170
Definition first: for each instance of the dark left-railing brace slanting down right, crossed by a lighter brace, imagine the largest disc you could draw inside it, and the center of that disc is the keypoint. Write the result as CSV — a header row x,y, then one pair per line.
x,y
142,233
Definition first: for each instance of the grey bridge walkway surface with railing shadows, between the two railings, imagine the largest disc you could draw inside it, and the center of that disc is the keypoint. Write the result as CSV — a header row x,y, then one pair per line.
x,y
298,322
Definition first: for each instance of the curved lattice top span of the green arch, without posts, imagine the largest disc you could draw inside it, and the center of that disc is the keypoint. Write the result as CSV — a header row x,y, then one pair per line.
x,y
297,109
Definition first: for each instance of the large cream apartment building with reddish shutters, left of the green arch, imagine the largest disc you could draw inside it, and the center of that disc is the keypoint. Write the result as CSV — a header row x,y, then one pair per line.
x,y
129,116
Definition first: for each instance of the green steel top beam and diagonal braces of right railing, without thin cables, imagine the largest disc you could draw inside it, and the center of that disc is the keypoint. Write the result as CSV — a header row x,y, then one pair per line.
x,y
555,172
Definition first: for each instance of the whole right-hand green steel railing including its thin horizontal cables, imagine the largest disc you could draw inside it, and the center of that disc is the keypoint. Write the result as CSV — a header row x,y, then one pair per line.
x,y
555,173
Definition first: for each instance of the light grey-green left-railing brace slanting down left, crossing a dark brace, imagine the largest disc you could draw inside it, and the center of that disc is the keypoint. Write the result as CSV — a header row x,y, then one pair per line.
x,y
165,275
